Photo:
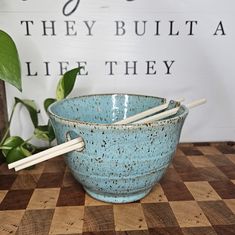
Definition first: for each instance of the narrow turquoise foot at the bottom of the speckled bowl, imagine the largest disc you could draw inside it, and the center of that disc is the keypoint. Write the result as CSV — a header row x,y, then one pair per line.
x,y
118,198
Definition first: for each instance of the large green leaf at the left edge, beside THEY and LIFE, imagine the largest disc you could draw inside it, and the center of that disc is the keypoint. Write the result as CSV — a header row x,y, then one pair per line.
x,y
10,70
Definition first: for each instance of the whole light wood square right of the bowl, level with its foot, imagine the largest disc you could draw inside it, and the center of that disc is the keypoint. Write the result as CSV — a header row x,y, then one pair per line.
x,y
202,191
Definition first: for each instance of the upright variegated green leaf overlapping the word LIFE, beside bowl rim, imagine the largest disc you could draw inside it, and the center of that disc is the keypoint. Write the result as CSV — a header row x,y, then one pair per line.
x,y
66,83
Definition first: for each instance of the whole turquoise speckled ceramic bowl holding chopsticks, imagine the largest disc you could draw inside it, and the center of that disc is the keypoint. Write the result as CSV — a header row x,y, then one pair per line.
x,y
120,163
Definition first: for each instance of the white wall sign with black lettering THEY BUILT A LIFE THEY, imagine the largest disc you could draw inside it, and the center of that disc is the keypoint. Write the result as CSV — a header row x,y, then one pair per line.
x,y
151,47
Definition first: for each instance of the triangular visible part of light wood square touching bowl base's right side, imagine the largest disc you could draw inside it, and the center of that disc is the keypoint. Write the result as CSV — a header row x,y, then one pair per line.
x,y
156,195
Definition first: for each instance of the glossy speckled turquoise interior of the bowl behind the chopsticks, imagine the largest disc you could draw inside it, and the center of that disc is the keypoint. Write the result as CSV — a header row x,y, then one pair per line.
x,y
103,109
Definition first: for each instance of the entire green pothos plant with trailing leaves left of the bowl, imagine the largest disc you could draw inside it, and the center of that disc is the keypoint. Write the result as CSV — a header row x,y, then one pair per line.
x,y
15,147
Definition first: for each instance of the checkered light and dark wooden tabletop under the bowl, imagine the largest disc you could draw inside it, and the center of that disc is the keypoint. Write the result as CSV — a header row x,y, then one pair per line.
x,y
196,196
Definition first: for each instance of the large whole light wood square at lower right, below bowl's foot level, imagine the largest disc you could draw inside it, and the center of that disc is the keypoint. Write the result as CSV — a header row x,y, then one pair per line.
x,y
189,214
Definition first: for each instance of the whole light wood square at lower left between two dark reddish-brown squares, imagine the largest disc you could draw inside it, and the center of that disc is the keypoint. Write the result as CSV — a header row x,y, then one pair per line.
x,y
44,198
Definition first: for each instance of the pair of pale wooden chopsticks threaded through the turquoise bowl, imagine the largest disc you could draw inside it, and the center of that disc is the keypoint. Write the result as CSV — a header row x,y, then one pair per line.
x,y
148,116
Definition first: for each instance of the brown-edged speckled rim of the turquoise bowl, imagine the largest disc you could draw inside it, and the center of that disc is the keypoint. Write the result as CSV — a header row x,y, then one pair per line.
x,y
132,126
